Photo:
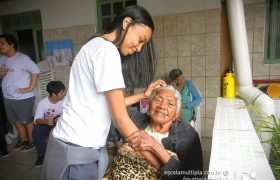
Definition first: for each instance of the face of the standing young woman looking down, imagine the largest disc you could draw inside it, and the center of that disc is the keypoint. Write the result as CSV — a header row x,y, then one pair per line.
x,y
137,35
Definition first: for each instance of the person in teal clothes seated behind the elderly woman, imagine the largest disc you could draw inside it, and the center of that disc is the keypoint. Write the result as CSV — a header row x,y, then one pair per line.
x,y
190,96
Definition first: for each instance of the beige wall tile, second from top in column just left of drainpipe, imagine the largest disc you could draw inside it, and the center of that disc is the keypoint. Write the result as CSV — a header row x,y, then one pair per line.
x,y
212,44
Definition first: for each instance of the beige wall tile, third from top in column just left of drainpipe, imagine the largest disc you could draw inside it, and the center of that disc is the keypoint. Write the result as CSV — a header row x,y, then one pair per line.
x,y
213,65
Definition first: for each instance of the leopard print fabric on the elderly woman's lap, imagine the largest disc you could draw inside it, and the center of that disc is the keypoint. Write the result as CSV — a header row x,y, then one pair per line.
x,y
130,165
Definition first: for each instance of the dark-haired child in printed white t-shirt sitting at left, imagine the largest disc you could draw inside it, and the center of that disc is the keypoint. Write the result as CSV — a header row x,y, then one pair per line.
x,y
47,113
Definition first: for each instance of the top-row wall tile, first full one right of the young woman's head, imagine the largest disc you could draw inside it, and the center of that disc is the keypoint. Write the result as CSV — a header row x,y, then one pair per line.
x,y
169,26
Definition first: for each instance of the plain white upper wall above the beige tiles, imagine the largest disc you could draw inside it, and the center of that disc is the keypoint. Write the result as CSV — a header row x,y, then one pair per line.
x,y
67,13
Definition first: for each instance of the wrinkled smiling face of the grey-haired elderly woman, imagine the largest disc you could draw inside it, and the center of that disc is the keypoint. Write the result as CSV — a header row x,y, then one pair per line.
x,y
163,107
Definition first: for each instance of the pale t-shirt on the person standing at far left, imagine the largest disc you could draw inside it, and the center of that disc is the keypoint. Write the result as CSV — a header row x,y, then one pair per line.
x,y
19,75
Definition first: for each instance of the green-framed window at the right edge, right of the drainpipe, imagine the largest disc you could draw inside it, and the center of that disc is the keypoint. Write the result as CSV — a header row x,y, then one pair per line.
x,y
272,32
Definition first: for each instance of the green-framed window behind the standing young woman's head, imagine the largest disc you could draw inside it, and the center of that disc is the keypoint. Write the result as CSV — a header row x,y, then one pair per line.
x,y
107,9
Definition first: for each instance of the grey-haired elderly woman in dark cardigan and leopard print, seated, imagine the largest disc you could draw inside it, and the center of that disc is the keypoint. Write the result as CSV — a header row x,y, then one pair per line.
x,y
175,144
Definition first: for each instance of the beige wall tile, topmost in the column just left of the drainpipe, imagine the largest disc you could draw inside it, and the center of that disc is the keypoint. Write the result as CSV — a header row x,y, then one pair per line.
x,y
213,20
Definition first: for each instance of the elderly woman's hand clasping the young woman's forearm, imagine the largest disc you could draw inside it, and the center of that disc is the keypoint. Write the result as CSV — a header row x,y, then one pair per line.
x,y
141,141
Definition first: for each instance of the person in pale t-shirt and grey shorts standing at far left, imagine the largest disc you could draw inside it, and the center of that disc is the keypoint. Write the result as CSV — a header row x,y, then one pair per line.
x,y
19,77
